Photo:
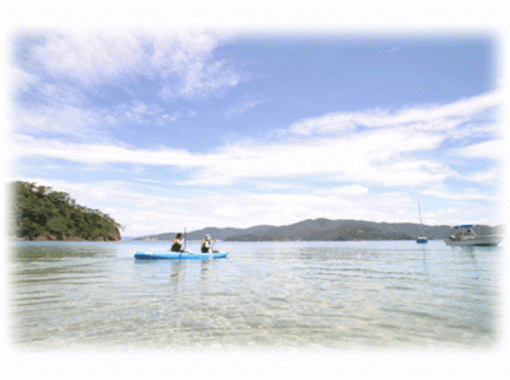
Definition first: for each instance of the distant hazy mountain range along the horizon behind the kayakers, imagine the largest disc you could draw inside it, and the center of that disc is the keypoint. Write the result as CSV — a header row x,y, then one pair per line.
x,y
326,230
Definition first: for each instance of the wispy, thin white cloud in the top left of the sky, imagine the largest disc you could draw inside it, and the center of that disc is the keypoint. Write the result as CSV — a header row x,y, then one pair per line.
x,y
181,63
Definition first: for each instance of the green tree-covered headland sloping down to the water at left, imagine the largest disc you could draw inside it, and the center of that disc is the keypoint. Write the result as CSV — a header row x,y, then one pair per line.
x,y
43,214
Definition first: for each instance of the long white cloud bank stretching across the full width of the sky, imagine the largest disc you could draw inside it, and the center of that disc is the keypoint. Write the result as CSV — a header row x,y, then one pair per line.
x,y
396,150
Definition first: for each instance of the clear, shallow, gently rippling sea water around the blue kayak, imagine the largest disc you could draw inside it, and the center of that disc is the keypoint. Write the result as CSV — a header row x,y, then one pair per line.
x,y
338,295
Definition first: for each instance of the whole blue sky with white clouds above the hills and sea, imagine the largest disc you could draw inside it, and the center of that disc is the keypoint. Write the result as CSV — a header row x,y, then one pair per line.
x,y
164,131
